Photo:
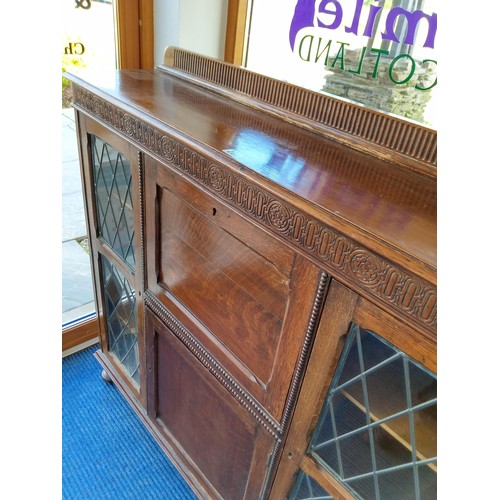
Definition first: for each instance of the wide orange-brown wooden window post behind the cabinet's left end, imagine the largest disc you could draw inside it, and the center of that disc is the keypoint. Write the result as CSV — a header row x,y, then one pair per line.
x,y
134,23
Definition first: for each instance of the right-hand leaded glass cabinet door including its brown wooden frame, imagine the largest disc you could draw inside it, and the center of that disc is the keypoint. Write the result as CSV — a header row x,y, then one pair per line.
x,y
365,426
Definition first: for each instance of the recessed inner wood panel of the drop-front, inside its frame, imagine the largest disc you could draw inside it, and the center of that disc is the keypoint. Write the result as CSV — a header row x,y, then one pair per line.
x,y
231,289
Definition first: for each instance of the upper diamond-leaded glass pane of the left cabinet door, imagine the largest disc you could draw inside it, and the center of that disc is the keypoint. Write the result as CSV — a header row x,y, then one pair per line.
x,y
113,195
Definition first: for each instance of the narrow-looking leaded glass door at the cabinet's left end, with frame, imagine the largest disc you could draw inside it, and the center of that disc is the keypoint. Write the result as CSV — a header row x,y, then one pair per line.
x,y
112,183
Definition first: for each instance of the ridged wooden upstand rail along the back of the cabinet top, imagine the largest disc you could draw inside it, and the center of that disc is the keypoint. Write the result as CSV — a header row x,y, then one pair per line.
x,y
375,132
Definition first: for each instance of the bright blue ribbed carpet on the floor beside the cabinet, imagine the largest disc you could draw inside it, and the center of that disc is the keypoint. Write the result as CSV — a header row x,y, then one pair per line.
x,y
107,451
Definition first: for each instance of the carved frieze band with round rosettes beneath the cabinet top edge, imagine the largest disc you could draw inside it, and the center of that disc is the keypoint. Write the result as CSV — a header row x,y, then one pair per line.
x,y
367,272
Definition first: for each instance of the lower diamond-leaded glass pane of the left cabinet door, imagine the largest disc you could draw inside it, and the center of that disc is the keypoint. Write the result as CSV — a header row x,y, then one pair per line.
x,y
121,319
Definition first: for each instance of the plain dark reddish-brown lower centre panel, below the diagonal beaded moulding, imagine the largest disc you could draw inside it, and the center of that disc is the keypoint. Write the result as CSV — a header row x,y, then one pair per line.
x,y
217,434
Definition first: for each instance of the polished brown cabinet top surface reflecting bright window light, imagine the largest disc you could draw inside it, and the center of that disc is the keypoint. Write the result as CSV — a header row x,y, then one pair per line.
x,y
385,207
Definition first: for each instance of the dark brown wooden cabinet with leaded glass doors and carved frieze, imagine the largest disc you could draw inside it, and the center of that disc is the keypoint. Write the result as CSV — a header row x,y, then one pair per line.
x,y
266,286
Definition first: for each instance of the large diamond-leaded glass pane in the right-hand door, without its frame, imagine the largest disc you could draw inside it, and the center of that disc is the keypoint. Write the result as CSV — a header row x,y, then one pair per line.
x,y
377,429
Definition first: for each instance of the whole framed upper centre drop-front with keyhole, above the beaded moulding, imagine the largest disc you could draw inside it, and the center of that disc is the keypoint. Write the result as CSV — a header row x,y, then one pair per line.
x,y
240,292
